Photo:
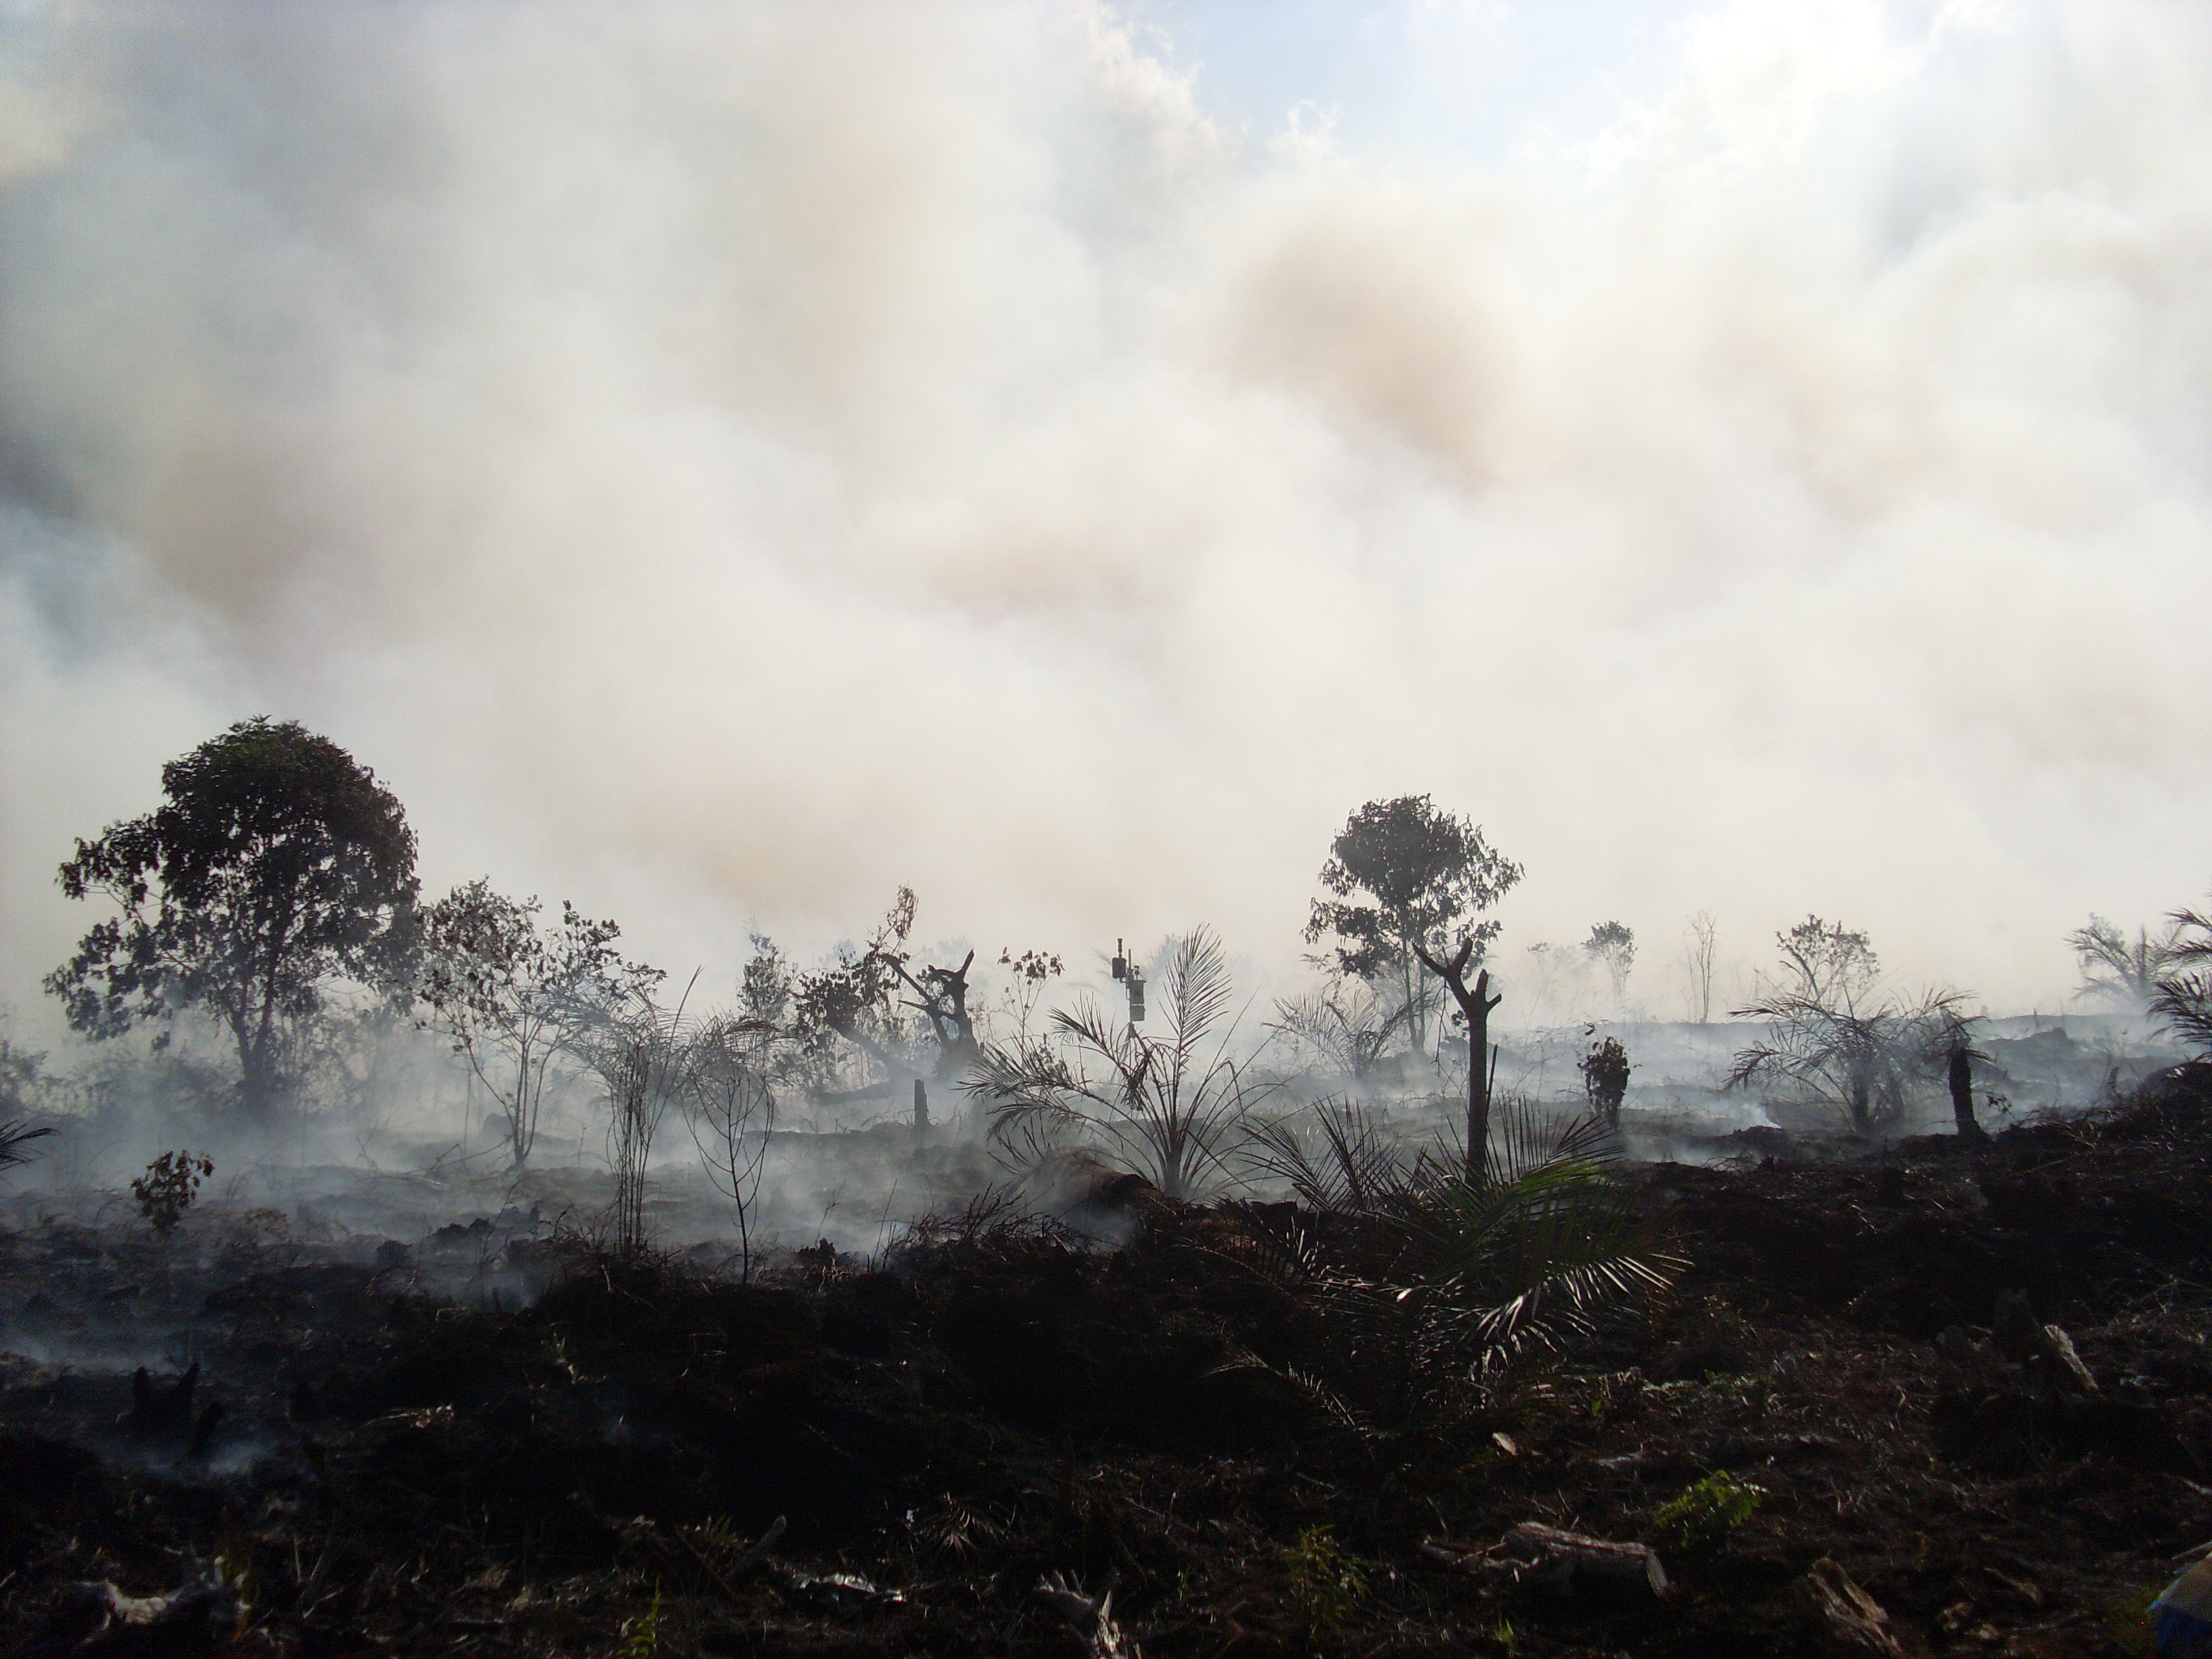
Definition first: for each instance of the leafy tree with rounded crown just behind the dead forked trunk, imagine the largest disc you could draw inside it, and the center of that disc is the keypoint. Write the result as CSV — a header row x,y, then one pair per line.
x,y
1404,879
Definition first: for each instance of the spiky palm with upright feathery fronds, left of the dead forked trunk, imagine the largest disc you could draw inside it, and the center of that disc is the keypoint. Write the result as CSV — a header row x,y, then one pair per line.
x,y
1165,1107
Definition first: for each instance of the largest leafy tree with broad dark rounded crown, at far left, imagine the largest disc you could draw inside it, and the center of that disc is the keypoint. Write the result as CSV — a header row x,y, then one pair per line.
x,y
275,868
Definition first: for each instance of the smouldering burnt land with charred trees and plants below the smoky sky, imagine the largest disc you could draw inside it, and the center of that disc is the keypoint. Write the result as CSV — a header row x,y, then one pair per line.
x,y
1147,1333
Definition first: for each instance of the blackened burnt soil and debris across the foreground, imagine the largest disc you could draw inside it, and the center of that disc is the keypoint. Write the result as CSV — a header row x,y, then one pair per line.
x,y
395,1474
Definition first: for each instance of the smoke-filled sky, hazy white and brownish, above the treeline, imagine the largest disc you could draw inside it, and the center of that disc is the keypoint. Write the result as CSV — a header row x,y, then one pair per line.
x,y
722,463
